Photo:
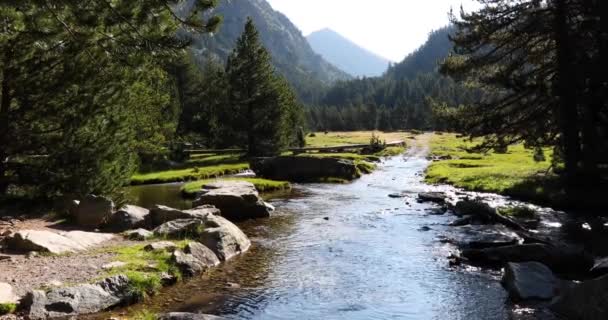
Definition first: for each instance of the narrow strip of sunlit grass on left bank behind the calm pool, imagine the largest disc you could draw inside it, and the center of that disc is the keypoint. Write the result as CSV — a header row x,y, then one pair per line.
x,y
189,174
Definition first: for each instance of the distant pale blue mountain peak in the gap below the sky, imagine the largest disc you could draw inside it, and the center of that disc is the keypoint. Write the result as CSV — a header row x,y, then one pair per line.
x,y
346,54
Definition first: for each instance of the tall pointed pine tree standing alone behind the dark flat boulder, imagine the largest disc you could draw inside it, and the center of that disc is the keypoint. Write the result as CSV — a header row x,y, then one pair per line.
x,y
262,103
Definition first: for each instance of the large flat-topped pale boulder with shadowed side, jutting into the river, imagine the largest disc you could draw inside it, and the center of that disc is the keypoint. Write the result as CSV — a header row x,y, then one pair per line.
x,y
237,200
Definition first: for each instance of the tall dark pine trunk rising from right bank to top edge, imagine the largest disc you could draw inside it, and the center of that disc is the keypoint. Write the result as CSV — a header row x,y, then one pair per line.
x,y
566,86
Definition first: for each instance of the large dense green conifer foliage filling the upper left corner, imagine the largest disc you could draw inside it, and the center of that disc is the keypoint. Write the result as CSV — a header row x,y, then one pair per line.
x,y
83,90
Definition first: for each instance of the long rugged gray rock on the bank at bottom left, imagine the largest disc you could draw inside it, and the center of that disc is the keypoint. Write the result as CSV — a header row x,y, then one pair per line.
x,y
80,299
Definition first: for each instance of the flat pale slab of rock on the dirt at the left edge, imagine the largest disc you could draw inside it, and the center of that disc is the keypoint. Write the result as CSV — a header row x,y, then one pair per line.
x,y
56,243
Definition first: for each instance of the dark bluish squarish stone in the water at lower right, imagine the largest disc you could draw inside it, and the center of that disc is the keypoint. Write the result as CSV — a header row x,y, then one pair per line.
x,y
529,281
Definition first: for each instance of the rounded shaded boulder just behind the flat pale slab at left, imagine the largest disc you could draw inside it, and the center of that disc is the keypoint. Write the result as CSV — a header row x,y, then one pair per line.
x,y
93,211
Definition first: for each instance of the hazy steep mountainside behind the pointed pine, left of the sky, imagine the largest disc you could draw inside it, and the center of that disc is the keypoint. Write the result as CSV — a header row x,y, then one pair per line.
x,y
293,57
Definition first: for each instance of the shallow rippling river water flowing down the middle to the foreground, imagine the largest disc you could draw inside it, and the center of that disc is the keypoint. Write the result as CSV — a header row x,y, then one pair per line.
x,y
345,252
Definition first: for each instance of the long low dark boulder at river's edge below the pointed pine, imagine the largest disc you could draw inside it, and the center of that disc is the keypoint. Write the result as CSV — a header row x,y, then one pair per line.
x,y
304,169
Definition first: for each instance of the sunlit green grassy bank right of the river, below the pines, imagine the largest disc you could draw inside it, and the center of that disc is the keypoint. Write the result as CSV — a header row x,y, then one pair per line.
x,y
514,173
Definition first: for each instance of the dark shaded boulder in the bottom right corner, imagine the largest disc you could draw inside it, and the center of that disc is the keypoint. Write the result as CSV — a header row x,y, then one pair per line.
x,y
585,300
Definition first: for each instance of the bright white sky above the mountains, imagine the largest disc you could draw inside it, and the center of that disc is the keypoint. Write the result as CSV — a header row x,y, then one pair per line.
x,y
389,28
